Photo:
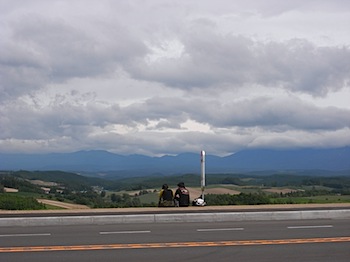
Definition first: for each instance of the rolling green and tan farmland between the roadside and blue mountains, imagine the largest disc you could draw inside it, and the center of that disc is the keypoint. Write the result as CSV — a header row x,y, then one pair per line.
x,y
57,190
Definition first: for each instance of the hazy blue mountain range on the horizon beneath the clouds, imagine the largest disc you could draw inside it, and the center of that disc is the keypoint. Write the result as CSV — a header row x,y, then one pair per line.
x,y
247,160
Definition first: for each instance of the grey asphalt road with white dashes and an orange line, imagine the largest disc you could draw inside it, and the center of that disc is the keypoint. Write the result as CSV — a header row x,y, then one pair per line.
x,y
291,240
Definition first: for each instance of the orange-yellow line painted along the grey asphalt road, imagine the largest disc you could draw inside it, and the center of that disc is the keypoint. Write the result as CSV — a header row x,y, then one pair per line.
x,y
175,244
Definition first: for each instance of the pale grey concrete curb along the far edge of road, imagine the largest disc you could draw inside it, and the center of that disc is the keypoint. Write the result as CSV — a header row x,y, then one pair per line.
x,y
175,218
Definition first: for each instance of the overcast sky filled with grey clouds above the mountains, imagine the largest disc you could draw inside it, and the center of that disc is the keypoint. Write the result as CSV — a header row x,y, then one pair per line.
x,y
163,77
